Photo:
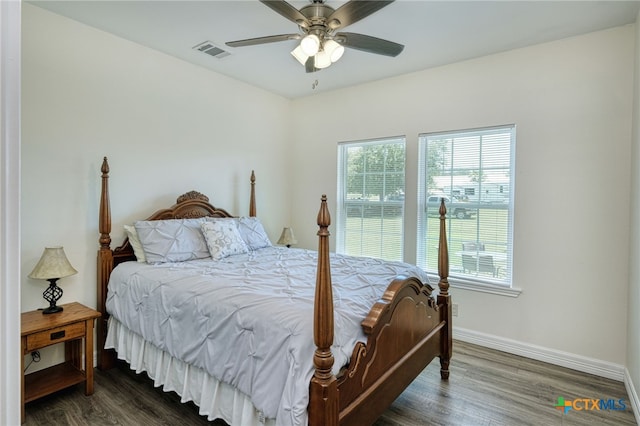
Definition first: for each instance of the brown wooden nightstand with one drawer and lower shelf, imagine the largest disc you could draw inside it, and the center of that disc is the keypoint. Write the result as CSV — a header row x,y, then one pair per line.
x,y
71,326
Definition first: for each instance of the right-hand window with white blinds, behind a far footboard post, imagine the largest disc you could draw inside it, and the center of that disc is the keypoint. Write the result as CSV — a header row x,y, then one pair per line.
x,y
473,172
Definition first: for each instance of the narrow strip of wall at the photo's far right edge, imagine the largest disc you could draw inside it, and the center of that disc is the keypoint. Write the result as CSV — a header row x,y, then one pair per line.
x,y
633,324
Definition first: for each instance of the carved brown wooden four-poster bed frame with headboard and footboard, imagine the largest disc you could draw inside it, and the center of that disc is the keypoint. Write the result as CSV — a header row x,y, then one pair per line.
x,y
405,330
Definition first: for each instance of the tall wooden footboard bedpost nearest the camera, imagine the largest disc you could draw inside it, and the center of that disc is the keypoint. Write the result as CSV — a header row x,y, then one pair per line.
x,y
323,391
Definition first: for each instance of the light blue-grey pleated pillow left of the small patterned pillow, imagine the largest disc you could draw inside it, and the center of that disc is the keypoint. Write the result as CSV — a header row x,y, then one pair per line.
x,y
172,240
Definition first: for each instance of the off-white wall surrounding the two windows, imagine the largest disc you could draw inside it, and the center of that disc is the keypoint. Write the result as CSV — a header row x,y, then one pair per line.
x,y
571,102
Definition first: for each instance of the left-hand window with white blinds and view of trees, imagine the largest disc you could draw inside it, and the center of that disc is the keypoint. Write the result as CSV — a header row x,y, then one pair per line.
x,y
370,206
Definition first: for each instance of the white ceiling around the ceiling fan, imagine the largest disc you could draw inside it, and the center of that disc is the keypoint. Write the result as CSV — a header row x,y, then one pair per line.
x,y
434,33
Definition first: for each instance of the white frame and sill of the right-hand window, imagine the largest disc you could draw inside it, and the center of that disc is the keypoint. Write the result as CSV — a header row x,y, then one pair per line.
x,y
502,284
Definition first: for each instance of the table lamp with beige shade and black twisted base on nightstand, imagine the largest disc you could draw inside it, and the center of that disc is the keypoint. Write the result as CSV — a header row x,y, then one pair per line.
x,y
52,266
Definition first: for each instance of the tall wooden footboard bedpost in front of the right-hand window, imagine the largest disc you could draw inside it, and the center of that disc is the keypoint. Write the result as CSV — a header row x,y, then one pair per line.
x,y
444,299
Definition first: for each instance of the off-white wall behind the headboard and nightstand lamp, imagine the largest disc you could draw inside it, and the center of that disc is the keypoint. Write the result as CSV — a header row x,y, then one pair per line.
x,y
167,127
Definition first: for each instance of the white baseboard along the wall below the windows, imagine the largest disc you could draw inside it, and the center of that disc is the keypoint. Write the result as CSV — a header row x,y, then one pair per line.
x,y
539,353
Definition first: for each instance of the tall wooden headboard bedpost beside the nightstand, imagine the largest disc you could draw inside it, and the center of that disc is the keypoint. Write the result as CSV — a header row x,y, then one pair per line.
x,y
105,265
